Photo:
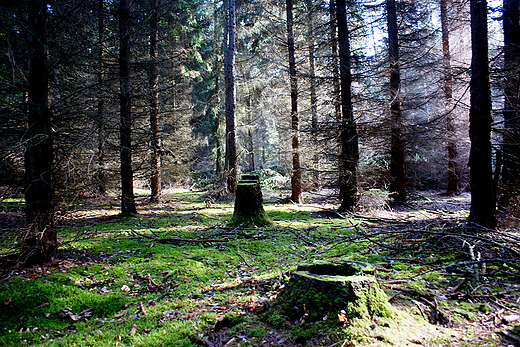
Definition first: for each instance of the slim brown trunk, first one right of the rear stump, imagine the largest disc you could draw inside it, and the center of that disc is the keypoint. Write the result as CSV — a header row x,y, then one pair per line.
x,y
296,180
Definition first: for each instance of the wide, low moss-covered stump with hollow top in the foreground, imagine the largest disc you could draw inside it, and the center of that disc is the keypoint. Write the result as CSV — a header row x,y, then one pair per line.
x,y
328,288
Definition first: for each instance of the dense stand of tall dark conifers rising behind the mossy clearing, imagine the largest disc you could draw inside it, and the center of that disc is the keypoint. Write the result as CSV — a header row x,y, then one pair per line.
x,y
103,95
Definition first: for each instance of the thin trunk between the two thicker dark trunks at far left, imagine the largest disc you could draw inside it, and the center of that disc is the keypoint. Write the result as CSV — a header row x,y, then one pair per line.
x,y
101,182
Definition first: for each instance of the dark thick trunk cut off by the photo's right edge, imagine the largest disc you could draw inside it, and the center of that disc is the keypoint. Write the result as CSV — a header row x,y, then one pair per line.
x,y
511,137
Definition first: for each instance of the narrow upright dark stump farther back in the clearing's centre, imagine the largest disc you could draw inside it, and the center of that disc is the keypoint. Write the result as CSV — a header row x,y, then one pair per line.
x,y
249,209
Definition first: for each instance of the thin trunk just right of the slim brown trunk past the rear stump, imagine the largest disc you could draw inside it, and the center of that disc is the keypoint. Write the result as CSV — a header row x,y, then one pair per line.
x,y
313,94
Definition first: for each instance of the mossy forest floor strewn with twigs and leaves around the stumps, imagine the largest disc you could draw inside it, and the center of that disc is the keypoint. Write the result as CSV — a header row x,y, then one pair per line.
x,y
175,275
